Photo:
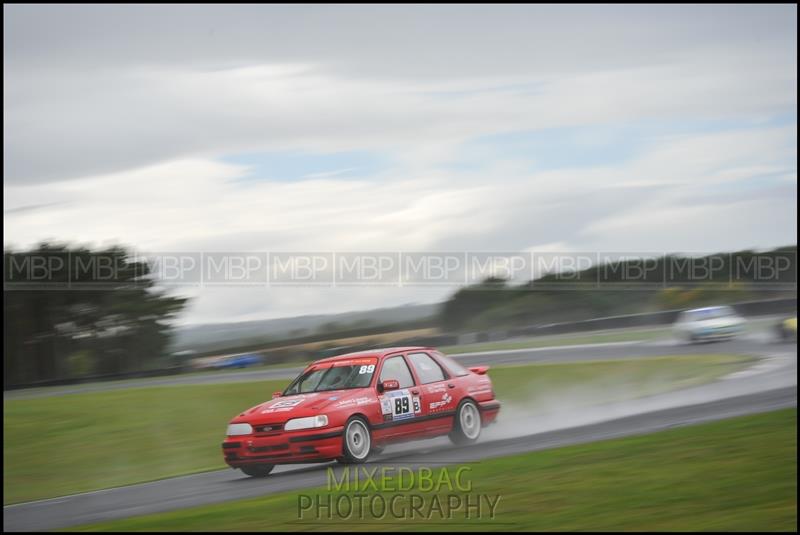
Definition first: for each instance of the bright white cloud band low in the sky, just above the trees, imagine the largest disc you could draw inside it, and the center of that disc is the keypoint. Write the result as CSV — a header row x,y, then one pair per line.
x,y
202,205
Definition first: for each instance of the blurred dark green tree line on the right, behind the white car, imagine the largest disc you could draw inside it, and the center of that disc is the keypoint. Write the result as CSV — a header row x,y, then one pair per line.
x,y
626,286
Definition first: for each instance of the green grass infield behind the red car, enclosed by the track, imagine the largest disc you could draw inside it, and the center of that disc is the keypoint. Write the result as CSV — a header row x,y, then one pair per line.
x,y
81,442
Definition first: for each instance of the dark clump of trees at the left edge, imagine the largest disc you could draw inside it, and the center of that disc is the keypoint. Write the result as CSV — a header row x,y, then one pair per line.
x,y
71,312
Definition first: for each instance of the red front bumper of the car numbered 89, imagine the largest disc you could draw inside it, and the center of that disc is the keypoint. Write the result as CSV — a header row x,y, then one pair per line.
x,y
309,445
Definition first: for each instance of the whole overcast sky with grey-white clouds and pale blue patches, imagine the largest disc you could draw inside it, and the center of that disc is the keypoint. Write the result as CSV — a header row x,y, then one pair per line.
x,y
403,128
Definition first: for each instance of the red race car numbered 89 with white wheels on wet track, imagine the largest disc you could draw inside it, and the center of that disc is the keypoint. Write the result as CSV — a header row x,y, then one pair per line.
x,y
349,406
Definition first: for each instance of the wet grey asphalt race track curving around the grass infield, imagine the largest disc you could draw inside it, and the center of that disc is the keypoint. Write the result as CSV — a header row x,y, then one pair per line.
x,y
769,384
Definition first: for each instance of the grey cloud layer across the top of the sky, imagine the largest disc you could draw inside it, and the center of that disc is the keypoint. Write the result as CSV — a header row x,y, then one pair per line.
x,y
188,91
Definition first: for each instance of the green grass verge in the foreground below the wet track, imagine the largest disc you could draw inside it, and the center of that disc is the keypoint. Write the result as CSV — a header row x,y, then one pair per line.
x,y
732,475
